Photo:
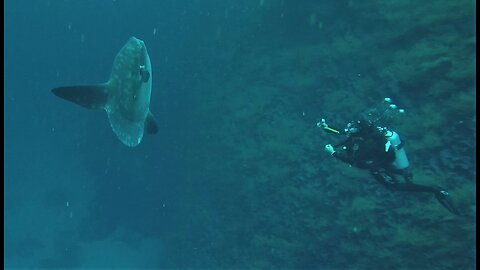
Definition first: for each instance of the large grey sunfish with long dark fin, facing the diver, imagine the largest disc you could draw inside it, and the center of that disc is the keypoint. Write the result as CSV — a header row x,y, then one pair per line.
x,y
125,96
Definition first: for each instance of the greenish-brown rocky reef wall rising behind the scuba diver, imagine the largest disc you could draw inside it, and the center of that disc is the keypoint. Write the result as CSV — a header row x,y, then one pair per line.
x,y
279,201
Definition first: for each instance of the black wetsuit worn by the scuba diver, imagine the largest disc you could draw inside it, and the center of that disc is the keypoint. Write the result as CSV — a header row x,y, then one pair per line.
x,y
366,150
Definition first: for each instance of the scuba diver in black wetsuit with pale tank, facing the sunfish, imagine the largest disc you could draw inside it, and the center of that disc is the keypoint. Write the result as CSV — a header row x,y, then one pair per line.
x,y
381,152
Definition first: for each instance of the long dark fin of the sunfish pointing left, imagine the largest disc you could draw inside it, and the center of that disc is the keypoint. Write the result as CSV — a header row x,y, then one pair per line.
x,y
88,96
